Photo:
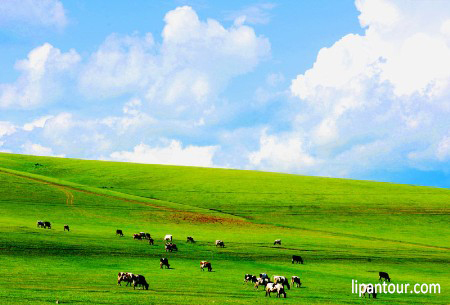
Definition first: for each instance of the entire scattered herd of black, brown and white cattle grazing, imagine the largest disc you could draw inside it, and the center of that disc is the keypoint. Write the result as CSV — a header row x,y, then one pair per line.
x,y
276,284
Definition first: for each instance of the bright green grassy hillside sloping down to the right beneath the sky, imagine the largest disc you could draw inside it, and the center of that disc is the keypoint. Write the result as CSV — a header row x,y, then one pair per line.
x,y
343,229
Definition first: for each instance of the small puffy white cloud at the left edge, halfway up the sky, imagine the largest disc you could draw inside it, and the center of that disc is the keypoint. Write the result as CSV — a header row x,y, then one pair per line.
x,y
40,79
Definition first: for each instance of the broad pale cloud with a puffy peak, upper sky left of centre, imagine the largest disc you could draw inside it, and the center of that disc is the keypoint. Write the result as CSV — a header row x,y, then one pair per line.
x,y
183,73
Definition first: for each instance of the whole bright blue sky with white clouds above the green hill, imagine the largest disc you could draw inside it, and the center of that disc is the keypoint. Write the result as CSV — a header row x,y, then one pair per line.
x,y
348,89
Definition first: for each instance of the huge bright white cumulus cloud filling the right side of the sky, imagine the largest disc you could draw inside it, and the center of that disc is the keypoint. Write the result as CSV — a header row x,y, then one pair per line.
x,y
377,100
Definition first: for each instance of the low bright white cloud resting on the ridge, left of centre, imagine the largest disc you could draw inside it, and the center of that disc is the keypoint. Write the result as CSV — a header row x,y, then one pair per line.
x,y
172,153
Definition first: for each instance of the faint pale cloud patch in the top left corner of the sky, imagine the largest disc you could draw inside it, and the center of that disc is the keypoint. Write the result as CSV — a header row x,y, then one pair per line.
x,y
33,12
